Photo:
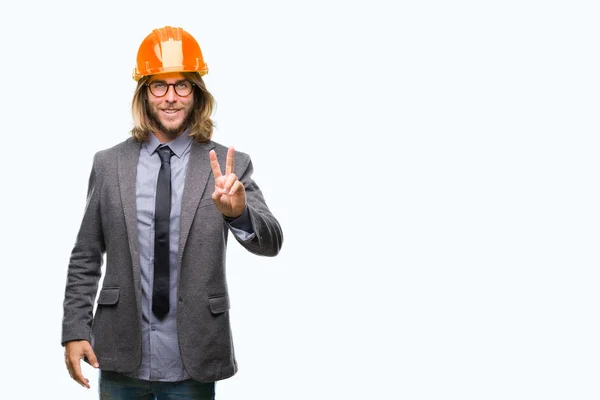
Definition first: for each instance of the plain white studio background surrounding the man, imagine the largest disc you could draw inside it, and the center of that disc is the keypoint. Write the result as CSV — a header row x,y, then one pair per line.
x,y
434,166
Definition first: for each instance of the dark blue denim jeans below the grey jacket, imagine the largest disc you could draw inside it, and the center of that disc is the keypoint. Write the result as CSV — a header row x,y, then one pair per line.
x,y
115,386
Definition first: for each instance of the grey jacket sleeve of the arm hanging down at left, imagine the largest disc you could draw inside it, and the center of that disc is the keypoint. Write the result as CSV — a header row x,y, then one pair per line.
x,y
84,268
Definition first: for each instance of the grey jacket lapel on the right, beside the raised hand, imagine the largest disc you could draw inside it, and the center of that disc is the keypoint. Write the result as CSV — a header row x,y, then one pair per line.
x,y
198,172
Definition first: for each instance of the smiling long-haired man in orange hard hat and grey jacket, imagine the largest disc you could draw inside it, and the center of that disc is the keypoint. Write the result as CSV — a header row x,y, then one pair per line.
x,y
160,206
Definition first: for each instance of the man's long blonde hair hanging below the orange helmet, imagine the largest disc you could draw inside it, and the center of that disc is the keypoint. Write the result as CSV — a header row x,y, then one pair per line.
x,y
201,125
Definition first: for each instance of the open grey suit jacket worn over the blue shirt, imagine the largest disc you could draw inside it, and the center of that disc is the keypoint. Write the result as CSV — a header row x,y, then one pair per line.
x,y
109,227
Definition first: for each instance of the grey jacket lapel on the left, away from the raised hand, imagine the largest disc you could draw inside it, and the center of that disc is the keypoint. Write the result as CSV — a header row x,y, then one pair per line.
x,y
127,160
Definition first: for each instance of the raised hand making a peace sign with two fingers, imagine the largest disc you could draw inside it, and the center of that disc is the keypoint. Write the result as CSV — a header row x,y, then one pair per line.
x,y
229,196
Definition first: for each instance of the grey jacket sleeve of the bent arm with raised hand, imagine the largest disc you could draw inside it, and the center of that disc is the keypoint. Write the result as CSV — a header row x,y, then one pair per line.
x,y
267,238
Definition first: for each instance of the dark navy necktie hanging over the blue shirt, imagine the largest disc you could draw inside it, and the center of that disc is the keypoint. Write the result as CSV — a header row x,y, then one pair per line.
x,y
162,216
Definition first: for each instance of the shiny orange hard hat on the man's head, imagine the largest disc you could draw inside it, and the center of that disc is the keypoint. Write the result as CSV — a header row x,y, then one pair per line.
x,y
169,49
